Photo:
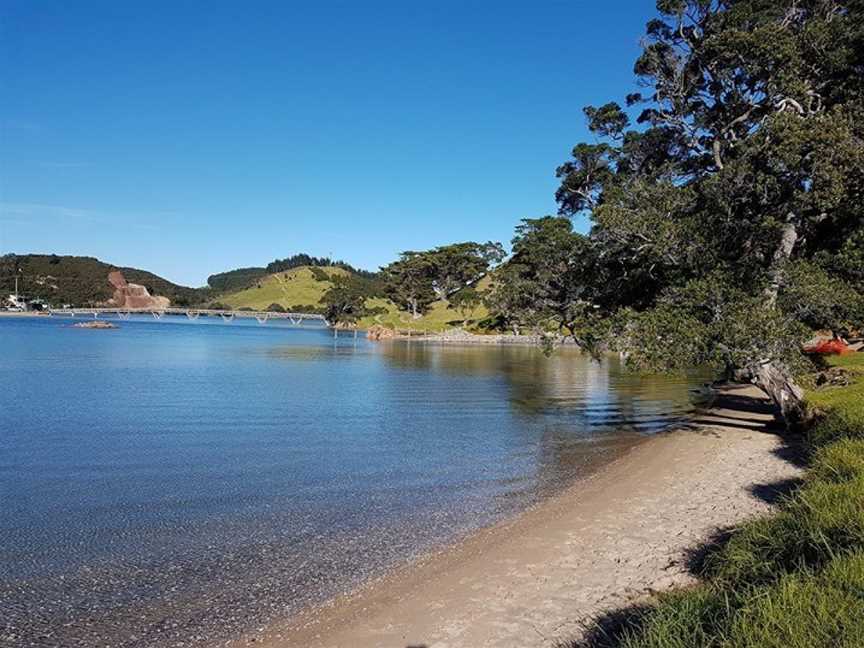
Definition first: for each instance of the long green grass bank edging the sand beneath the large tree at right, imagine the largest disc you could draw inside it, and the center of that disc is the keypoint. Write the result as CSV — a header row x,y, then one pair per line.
x,y
792,580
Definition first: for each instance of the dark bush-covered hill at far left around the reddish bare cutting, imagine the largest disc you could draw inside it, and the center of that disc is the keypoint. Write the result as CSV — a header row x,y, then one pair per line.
x,y
83,281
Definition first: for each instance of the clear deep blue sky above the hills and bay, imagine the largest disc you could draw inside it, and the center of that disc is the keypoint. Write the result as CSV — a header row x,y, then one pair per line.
x,y
190,138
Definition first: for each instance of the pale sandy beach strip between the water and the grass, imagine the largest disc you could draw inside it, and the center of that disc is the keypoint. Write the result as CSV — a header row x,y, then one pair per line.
x,y
607,541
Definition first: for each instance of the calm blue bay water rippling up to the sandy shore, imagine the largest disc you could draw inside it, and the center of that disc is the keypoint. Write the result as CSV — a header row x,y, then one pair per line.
x,y
175,483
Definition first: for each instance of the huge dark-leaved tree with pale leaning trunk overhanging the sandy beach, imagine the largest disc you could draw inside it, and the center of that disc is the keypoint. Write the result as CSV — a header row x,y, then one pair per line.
x,y
728,222
